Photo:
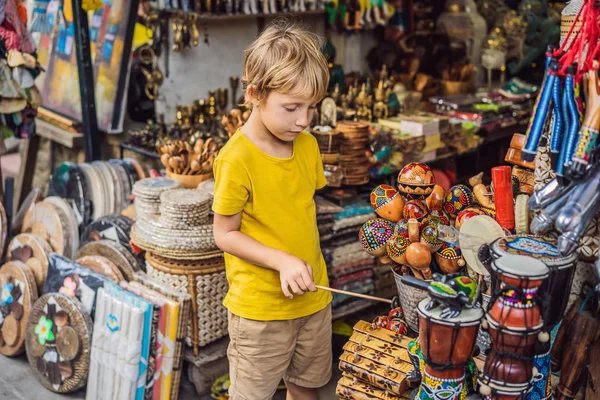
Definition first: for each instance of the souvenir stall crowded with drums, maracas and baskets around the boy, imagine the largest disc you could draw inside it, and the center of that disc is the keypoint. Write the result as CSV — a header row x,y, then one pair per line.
x,y
461,204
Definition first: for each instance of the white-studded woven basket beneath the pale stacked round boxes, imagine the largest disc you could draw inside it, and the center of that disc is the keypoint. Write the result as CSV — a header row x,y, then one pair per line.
x,y
205,282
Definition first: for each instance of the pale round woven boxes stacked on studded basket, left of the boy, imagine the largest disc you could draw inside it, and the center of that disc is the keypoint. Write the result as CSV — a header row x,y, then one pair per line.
x,y
181,252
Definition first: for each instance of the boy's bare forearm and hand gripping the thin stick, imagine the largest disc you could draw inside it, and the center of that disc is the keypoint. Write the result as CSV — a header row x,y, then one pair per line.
x,y
294,273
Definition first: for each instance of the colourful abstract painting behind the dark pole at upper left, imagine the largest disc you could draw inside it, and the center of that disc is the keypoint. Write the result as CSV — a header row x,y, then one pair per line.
x,y
111,35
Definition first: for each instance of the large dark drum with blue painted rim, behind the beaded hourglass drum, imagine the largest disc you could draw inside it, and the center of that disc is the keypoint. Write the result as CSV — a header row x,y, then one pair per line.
x,y
554,293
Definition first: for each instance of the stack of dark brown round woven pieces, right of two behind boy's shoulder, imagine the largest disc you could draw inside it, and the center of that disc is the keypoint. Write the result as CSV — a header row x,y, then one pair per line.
x,y
353,157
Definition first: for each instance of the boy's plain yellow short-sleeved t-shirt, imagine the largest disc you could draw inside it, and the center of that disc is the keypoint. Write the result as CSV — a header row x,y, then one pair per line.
x,y
276,198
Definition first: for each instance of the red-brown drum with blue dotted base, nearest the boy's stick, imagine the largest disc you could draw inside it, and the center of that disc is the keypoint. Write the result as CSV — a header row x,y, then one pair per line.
x,y
447,346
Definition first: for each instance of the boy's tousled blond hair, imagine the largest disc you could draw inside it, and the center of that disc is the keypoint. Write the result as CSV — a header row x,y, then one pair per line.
x,y
286,57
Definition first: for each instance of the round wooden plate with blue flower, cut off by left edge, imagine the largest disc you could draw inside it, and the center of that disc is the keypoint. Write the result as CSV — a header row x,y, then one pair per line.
x,y
18,292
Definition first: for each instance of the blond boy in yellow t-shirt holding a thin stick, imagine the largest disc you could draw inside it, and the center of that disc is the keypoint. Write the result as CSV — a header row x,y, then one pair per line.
x,y
265,222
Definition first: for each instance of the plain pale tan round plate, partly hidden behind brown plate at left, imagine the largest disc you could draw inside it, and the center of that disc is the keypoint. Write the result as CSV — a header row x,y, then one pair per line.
x,y
45,221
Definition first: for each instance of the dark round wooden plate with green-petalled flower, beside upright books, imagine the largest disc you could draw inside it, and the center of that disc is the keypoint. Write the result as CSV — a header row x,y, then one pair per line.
x,y
58,342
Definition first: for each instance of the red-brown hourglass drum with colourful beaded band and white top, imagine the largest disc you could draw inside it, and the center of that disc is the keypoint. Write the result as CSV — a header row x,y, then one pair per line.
x,y
514,321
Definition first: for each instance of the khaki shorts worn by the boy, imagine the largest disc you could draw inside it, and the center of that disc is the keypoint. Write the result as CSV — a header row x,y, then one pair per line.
x,y
262,352
